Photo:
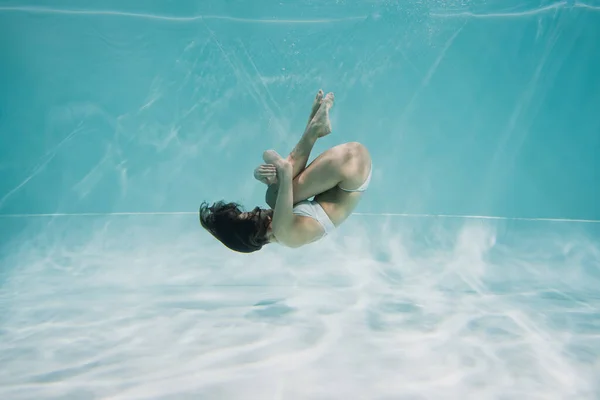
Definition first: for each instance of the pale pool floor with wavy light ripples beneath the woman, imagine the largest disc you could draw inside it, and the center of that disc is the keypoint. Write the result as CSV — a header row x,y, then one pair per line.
x,y
169,315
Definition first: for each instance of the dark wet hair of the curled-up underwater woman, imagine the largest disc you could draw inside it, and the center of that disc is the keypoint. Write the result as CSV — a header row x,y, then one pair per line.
x,y
244,235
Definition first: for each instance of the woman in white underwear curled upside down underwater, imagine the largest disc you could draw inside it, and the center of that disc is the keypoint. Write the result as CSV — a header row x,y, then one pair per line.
x,y
336,178
